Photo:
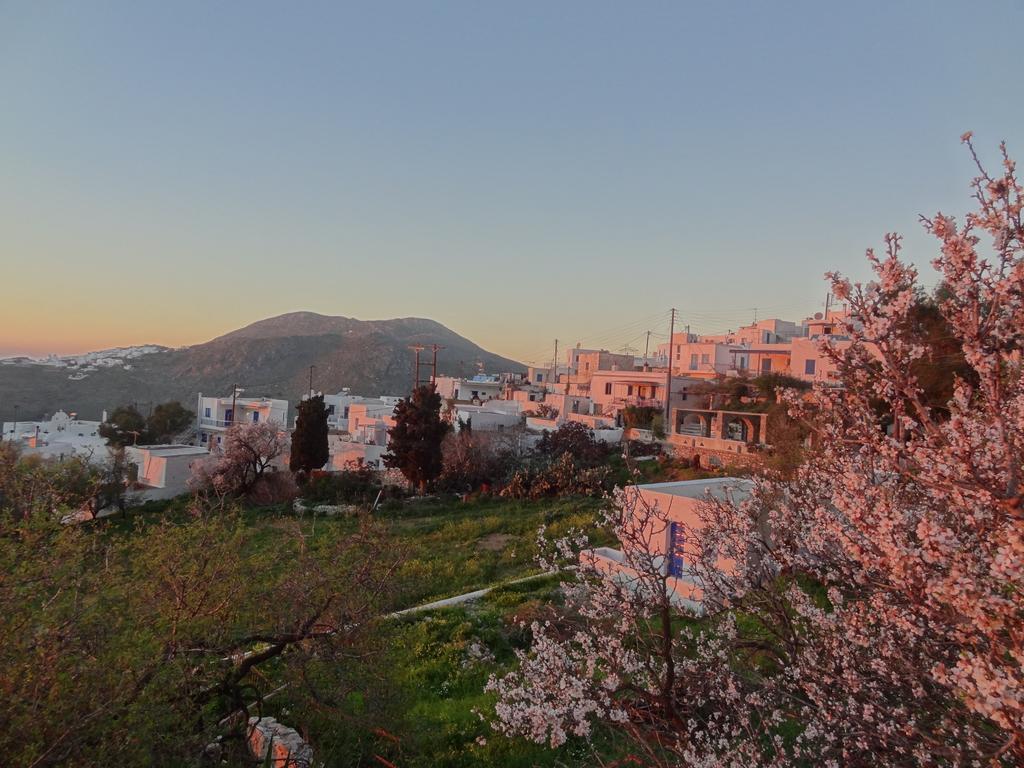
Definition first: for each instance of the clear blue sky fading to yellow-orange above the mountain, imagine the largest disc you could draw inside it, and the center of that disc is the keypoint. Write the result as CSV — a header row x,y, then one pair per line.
x,y
521,173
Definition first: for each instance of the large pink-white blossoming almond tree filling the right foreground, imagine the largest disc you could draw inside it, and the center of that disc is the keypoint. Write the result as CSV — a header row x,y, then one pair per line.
x,y
873,613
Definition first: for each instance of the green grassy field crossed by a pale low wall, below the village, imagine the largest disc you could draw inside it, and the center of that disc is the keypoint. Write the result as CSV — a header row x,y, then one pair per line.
x,y
438,663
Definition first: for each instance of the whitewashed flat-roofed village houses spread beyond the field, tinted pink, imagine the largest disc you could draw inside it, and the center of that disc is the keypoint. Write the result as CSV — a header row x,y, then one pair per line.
x,y
616,397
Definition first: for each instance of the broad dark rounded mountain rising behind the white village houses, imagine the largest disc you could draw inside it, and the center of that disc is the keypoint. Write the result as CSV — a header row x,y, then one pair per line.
x,y
271,358
